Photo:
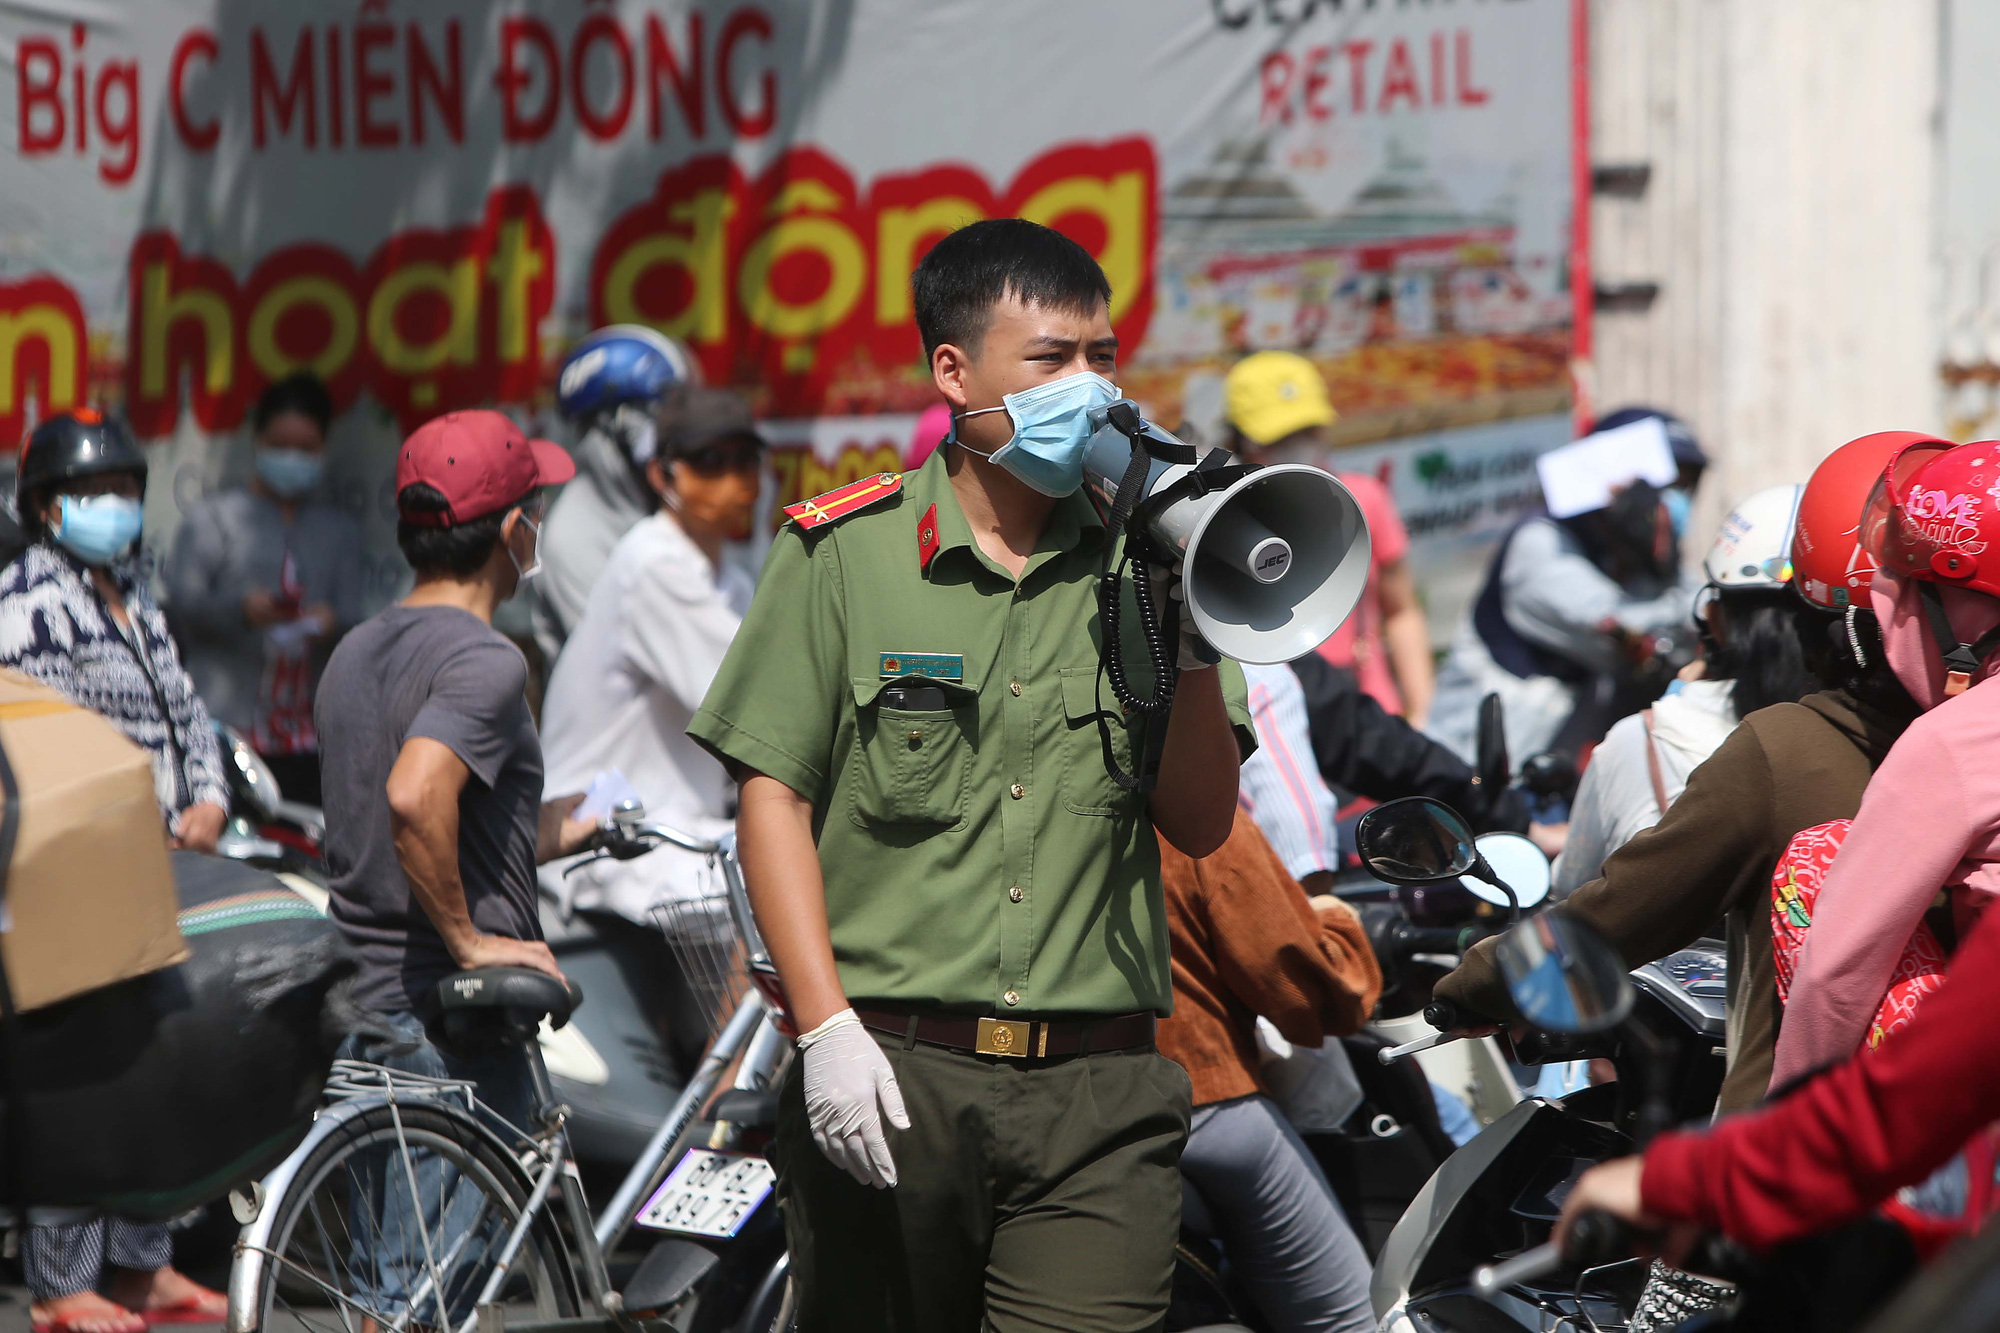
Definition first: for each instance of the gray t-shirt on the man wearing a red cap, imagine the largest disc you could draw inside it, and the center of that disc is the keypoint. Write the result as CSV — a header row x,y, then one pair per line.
x,y
447,676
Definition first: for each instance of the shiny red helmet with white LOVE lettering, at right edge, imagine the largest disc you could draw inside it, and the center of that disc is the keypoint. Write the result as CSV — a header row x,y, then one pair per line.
x,y
1935,515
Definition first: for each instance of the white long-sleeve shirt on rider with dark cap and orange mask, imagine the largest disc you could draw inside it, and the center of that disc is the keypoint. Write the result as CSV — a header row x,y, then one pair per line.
x,y
625,690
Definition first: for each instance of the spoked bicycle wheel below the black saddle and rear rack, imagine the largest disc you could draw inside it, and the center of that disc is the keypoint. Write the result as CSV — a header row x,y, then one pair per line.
x,y
399,1228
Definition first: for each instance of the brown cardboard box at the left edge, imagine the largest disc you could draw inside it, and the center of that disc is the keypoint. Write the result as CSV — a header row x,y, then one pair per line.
x,y
89,894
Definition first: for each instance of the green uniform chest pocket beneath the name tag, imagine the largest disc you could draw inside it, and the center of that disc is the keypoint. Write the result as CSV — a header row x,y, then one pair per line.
x,y
911,768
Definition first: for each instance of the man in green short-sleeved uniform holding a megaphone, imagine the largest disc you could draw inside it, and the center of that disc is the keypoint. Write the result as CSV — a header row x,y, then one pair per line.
x,y
961,902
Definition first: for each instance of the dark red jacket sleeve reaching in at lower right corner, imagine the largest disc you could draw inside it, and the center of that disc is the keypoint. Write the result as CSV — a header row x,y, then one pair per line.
x,y
1853,1136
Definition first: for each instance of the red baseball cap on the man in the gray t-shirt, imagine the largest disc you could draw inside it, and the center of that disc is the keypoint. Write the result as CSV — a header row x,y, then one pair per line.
x,y
481,463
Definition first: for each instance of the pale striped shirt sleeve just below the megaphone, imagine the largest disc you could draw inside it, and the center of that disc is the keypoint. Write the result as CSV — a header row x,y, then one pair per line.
x,y
1281,786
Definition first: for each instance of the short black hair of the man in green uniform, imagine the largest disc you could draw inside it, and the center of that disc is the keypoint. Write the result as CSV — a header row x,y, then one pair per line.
x,y
979,265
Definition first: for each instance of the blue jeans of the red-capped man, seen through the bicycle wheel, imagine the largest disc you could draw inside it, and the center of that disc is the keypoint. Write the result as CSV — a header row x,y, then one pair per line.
x,y
389,1248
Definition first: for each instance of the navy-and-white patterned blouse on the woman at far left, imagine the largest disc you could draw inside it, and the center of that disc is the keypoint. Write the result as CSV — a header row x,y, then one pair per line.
x,y
57,629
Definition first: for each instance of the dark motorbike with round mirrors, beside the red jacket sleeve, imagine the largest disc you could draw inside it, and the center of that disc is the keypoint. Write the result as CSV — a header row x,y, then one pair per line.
x,y
1497,1200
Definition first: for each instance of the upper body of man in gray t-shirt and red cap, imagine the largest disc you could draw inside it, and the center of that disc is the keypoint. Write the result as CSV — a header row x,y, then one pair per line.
x,y
431,766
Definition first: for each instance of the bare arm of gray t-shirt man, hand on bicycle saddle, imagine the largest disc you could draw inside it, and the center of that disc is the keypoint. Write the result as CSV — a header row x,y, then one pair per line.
x,y
423,812
